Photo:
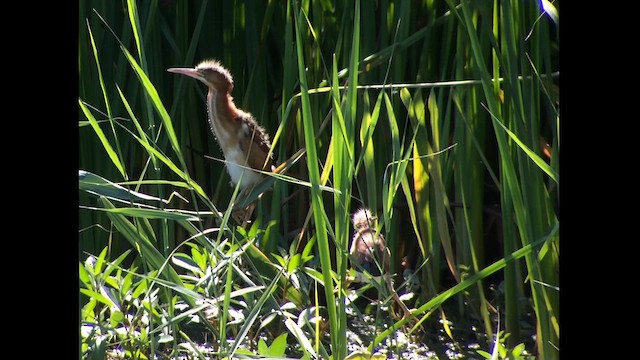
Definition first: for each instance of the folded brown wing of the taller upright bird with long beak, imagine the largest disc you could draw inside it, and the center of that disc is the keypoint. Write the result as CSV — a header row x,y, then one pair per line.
x,y
257,144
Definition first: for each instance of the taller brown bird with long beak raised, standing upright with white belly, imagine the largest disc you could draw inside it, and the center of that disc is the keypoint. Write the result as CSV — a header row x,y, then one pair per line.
x,y
244,143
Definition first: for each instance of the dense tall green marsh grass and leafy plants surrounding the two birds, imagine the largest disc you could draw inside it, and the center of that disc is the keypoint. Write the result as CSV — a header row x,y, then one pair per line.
x,y
441,116
